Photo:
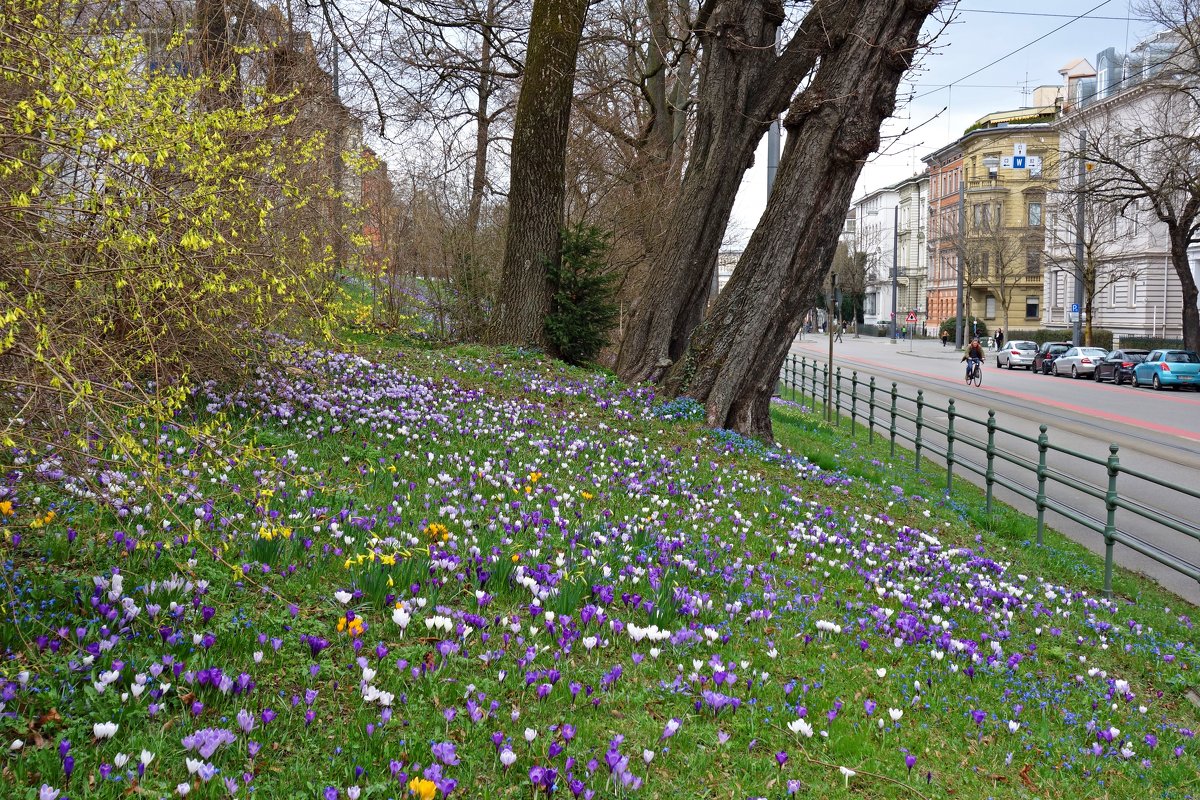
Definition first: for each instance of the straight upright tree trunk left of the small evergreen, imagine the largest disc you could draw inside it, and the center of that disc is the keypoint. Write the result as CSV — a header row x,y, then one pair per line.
x,y
537,177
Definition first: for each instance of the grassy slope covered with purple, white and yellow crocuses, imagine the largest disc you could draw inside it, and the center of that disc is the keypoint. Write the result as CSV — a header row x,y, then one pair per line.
x,y
476,574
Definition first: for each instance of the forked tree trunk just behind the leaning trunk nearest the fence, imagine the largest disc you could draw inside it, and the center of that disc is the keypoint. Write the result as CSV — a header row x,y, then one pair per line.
x,y
743,87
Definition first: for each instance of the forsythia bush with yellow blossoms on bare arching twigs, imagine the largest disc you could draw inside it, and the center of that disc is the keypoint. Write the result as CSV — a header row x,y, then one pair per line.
x,y
149,234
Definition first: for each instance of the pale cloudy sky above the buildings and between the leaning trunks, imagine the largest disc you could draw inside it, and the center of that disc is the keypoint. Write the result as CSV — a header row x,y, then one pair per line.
x,y
946,98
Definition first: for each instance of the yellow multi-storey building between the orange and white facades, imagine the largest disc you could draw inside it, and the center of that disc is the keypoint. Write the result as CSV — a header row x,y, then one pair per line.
x,y
1009,165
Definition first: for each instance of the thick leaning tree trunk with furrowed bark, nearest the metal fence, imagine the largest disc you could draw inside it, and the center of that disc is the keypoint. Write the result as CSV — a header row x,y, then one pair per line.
x,y
734,360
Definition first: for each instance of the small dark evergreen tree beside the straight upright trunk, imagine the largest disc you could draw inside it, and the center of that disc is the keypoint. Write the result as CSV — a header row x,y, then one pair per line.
x,y
583,309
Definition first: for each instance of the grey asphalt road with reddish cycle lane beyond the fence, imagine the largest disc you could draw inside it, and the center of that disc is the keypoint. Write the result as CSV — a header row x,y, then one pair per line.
x,y
1157,434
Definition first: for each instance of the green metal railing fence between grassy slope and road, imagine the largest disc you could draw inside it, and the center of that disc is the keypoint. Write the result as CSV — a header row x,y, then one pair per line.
x,y
878,410
